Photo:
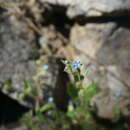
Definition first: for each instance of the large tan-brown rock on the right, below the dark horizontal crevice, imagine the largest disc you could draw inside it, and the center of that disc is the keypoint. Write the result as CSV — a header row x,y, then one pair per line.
x,y
105,48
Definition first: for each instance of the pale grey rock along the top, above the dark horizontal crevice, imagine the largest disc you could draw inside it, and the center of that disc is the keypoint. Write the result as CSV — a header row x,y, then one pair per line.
x,y
92,7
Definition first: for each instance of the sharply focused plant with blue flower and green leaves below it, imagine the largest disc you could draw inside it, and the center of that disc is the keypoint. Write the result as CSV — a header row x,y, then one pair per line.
x,y
79,110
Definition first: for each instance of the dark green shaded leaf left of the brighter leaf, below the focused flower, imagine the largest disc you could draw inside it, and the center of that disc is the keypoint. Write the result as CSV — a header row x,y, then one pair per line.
x,y
72,90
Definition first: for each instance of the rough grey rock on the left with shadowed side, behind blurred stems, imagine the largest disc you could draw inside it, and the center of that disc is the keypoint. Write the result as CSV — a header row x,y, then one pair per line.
x,y
18,51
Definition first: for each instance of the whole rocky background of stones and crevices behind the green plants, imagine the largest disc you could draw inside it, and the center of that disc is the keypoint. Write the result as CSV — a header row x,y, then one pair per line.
x,y
96,32
